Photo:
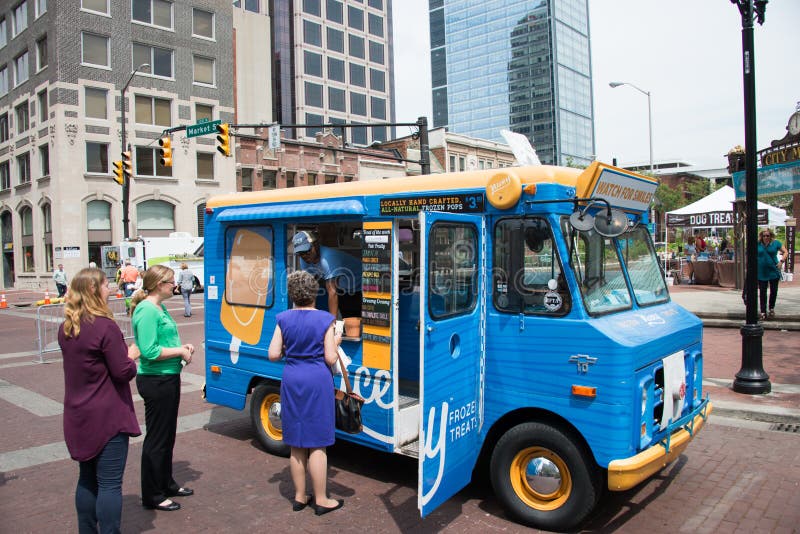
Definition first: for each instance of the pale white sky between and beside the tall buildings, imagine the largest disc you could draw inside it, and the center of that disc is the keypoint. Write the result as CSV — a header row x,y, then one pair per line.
x,y
686,53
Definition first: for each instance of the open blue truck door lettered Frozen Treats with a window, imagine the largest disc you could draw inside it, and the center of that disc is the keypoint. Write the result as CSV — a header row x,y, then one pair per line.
x,y
452,341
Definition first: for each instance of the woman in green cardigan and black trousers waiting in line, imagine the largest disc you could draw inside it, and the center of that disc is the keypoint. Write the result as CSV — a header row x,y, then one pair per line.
x,y
159,384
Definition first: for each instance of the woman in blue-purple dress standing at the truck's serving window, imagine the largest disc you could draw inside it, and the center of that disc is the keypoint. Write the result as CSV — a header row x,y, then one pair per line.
x,y
304,338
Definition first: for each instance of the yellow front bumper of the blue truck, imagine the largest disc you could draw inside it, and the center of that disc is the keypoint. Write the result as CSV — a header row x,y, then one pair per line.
x,y
626,473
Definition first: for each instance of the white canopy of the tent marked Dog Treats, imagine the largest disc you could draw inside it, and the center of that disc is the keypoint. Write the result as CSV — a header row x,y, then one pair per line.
x,y
716,206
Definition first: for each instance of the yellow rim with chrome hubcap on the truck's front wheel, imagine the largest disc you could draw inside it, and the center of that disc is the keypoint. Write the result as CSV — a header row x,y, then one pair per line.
x,y
540,478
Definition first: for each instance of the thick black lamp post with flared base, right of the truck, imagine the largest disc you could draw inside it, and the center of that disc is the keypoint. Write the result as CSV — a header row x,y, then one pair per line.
x,y
751,378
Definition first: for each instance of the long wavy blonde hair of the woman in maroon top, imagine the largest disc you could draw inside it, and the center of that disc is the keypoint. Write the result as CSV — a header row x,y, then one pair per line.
x,y
83,301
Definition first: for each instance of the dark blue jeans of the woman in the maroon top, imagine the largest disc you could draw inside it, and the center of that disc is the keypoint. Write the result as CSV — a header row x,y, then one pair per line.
x,y
98,497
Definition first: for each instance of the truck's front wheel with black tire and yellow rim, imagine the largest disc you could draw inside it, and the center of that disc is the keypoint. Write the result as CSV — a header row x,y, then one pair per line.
x,y
567,488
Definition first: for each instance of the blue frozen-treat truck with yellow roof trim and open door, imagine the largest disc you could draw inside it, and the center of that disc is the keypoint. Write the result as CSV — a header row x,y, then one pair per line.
x,y
513,320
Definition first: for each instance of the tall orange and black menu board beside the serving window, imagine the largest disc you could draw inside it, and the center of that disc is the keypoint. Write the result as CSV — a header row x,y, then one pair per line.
x,y
376,287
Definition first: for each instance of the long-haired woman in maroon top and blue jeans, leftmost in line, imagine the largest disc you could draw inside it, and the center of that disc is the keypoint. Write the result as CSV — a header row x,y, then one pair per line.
x,y
98,408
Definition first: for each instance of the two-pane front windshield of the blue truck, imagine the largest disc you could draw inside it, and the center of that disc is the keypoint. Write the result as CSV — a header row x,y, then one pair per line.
x,y
599,263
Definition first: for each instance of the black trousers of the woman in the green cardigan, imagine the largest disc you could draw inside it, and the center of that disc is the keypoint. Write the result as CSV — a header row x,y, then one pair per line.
x,y
162,395
